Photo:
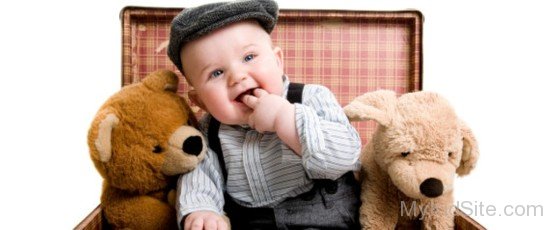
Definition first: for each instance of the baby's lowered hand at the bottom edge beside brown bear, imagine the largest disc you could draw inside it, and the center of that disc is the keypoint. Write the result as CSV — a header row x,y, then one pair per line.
x,y
206,220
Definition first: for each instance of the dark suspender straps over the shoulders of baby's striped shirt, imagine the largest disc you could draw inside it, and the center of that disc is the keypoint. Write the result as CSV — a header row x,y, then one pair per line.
x,y
294,95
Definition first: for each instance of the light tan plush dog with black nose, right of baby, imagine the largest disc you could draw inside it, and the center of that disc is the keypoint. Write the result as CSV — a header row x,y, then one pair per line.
x,y
410,164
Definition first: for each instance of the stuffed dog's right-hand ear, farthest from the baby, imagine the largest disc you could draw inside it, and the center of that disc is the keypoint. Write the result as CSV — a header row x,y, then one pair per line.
x,y
470,151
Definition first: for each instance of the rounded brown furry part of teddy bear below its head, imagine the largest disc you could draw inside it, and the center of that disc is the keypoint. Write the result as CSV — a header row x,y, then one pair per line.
x,y
141,212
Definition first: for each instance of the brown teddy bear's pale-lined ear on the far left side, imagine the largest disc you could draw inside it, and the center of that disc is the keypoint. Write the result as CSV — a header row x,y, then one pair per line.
x,y
103,131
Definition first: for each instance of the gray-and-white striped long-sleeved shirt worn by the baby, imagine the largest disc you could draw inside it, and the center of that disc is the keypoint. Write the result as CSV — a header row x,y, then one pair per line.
x,y
262,170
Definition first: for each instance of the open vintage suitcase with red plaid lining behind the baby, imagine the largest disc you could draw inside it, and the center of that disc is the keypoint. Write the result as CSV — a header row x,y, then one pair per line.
x,y
350,52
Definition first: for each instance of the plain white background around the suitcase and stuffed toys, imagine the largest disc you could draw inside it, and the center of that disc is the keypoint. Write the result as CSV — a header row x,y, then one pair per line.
x,y
59,60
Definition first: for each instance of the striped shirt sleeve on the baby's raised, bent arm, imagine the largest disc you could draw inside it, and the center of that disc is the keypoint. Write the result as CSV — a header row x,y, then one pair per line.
x,y
330,144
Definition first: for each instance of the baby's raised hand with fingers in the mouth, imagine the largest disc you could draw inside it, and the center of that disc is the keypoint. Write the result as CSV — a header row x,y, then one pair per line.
x,y
270,111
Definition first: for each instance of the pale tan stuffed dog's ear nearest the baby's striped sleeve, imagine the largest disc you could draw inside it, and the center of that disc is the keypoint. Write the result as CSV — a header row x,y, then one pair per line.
x,y
377,105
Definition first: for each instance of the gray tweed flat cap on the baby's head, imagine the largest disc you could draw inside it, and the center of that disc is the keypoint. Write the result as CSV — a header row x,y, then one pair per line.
x,y
192,23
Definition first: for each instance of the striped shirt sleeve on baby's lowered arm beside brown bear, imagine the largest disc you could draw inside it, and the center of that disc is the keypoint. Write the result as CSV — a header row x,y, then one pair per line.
x,y
202,188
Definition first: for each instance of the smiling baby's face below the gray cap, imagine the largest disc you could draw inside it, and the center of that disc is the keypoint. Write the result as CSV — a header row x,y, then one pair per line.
x,y
229,63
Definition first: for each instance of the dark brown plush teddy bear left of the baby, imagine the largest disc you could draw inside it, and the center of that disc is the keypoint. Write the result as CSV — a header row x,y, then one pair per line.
x,y
140,140
